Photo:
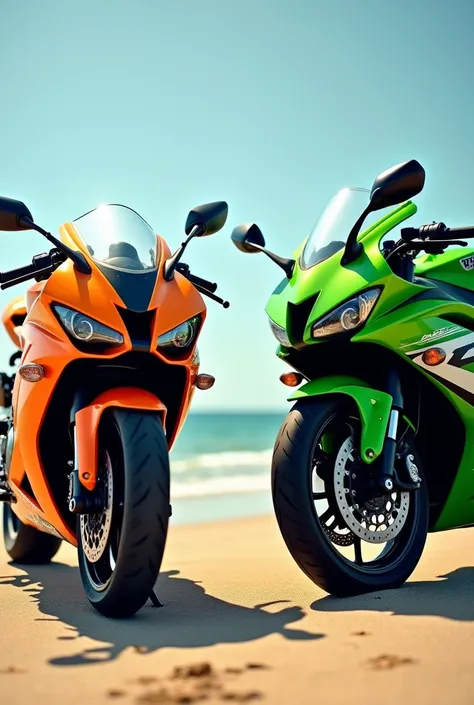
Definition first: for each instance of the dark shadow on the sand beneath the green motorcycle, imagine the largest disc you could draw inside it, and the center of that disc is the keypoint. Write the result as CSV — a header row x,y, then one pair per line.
x,y
449,596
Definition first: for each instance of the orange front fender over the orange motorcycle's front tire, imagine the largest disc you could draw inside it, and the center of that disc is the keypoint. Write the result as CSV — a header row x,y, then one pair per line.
x,y
87,422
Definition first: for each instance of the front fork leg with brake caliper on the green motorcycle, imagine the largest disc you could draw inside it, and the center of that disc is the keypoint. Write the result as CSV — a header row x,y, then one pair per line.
x,y
389,477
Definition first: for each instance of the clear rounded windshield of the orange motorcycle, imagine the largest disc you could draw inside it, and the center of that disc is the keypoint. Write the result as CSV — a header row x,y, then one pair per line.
x,y
118,237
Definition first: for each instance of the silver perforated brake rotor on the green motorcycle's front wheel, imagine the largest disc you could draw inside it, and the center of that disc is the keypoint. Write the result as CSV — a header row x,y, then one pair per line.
x,y
375,520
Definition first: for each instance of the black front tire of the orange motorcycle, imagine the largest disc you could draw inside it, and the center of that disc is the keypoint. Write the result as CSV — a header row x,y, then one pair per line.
x,y
136,445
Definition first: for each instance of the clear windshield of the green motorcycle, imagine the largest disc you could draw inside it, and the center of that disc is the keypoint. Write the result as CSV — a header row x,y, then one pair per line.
x,y
333,226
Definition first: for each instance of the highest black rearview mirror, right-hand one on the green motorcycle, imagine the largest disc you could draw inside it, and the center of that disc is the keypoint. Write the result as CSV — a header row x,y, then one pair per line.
x,y
398,184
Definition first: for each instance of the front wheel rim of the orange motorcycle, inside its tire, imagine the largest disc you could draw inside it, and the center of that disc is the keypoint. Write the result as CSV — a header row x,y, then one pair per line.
x,y
100,538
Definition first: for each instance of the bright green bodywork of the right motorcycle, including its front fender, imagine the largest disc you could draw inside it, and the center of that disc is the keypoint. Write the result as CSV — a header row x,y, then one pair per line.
x,y
394,324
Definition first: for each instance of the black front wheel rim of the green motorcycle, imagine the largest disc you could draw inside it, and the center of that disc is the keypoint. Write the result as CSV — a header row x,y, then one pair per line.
x,y
338,534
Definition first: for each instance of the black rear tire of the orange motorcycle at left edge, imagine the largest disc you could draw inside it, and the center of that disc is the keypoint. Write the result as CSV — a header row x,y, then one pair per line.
x,y
25,544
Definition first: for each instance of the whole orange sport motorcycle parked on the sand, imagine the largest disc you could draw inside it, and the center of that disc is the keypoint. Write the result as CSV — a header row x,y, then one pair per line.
x,y
108,369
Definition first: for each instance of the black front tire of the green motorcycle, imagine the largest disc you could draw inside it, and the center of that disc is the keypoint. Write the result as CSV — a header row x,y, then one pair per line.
x,y
300,526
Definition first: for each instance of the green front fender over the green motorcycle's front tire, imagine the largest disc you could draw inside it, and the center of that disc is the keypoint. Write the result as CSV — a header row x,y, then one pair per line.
x,y
374,408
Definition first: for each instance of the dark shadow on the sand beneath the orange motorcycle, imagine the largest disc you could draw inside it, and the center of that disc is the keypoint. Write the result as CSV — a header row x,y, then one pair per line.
x,y
190,617
